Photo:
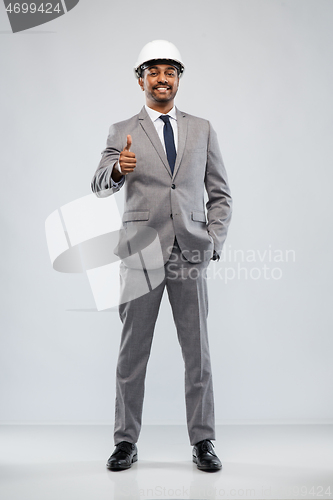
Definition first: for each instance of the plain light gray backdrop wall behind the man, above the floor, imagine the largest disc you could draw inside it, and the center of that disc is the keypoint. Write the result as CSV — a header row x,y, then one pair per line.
x,y
261,71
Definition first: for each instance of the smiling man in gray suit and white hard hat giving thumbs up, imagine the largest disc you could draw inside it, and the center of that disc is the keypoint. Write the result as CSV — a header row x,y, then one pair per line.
x,y
165,159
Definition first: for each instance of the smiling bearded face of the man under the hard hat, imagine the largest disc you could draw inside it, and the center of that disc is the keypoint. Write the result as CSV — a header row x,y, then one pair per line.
x,y
160,83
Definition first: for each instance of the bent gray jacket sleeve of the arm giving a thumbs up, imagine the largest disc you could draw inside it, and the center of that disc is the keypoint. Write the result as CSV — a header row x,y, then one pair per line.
x,y
102,184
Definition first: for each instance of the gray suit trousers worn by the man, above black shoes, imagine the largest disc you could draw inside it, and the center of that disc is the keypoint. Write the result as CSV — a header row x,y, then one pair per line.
x,y
186,285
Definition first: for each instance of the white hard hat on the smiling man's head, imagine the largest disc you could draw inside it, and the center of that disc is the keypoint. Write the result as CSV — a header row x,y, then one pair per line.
x,y
159,50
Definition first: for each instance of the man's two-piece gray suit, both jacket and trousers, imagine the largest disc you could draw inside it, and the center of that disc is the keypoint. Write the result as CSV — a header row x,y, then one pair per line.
x,y
173,205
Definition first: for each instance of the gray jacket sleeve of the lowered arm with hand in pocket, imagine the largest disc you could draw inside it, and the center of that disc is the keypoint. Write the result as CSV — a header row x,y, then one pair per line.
x,y
219,205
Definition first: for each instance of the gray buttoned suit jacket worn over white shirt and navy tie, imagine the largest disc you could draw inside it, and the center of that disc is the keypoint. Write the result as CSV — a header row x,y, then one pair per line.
x,y
172,205
